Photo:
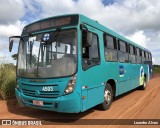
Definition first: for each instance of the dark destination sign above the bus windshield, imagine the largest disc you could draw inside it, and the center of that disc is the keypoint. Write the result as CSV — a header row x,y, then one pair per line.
x,y
62,21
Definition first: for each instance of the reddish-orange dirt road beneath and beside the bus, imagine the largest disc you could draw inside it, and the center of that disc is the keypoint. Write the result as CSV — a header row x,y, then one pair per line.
x,y
136,104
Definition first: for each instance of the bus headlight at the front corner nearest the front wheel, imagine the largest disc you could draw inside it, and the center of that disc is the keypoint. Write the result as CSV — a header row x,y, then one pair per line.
x,y
70,86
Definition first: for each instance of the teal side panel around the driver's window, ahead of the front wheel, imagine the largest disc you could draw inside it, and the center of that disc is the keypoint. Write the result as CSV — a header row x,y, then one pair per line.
x,y
91,84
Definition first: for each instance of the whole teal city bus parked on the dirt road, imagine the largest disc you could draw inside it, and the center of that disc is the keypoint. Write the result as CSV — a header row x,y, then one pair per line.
x,y
71,63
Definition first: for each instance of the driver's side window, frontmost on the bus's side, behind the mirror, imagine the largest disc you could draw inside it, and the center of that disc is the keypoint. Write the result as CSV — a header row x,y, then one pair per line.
x,y
90,54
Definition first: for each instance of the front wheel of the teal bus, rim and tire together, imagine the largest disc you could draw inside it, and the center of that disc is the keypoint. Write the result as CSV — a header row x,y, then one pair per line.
x,y
108,98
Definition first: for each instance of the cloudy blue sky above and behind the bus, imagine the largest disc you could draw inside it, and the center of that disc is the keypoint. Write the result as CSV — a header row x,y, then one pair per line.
x,y
137,20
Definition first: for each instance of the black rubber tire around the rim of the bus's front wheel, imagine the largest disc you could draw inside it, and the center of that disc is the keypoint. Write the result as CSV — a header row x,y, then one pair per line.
x,y
104,106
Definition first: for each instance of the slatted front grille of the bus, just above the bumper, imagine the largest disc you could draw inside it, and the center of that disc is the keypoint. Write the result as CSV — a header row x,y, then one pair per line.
x,y
42,94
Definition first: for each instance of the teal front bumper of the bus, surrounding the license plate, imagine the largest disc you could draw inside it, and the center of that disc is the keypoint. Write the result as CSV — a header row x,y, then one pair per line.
x,y
68,103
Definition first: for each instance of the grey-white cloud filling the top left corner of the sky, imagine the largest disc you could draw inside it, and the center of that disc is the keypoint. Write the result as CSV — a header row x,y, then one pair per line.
x,y
11,11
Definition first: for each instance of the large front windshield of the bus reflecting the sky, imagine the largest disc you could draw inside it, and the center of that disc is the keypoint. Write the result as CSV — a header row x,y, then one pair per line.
x,y
48,55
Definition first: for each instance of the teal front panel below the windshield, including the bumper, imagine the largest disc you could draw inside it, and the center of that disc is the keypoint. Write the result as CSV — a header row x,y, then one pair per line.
x,y
30,90
